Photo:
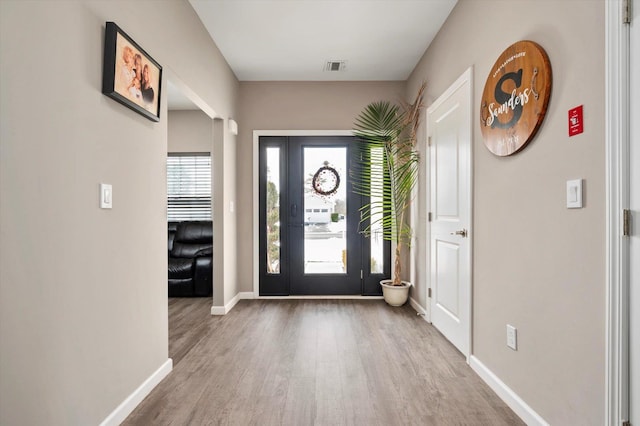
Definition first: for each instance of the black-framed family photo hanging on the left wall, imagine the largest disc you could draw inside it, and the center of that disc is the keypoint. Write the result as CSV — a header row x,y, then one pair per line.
x,y
130,75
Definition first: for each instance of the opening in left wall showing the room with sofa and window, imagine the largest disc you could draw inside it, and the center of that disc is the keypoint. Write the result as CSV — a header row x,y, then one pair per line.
x,y
190,162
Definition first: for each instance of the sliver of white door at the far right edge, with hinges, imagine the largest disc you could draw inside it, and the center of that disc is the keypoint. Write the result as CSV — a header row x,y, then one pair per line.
x,y
634,239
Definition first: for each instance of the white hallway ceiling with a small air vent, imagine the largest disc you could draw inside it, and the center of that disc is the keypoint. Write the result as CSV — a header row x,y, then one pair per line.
x,y
292,40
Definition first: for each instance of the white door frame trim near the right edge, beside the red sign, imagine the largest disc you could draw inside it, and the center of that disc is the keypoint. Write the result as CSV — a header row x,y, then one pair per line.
x,y
617,198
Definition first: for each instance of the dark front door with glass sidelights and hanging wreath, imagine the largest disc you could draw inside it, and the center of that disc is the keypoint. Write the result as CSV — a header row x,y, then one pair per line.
x,y
309,221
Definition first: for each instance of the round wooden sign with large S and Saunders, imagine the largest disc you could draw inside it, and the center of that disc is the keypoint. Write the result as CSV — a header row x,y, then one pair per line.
x,y
515,98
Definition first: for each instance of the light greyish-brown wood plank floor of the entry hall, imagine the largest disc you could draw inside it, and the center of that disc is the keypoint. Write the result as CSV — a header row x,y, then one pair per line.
x,y
314,362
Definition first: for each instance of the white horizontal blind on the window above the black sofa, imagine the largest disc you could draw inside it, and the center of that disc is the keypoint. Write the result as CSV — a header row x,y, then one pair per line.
x,y
189,187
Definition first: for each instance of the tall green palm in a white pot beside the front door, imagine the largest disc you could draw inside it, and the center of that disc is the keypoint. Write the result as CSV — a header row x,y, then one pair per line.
x,y
385,170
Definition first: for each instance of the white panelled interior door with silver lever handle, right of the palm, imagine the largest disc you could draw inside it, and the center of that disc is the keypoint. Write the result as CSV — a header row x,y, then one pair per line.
x,y
449,133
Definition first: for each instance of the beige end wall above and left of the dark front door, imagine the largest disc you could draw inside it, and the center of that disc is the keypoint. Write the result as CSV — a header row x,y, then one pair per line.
x,y
292,106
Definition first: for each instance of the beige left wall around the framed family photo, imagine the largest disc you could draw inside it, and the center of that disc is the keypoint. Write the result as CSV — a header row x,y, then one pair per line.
x,y
83,296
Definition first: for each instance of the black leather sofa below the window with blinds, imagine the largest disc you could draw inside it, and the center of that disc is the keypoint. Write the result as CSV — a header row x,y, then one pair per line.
x,y
190,258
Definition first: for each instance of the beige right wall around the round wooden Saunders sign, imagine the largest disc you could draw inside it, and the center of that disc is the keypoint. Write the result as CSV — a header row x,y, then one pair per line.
x,y
537,265
